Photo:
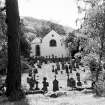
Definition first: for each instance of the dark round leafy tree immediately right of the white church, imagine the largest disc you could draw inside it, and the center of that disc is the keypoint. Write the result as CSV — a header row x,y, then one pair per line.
x,y
76,44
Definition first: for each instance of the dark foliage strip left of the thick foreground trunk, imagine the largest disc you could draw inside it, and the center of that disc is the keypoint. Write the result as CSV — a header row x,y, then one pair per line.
x,y
3,42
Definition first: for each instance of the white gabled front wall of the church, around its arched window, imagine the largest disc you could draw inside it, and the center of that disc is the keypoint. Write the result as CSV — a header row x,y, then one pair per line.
x,y
58,51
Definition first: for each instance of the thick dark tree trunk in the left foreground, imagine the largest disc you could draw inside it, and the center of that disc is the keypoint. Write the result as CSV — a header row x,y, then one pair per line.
x,y
13,80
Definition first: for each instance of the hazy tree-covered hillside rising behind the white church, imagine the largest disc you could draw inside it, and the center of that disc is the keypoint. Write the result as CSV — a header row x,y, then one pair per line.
x,y
39,28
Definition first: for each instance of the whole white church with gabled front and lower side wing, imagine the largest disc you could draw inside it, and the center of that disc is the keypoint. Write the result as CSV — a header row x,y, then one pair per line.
x,y
52,45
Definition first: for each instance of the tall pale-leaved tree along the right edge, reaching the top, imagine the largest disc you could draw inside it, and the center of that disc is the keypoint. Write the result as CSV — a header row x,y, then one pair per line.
x,y
94,27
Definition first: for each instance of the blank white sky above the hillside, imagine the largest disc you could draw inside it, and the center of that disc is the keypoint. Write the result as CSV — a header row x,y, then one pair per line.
x,y
63,12
